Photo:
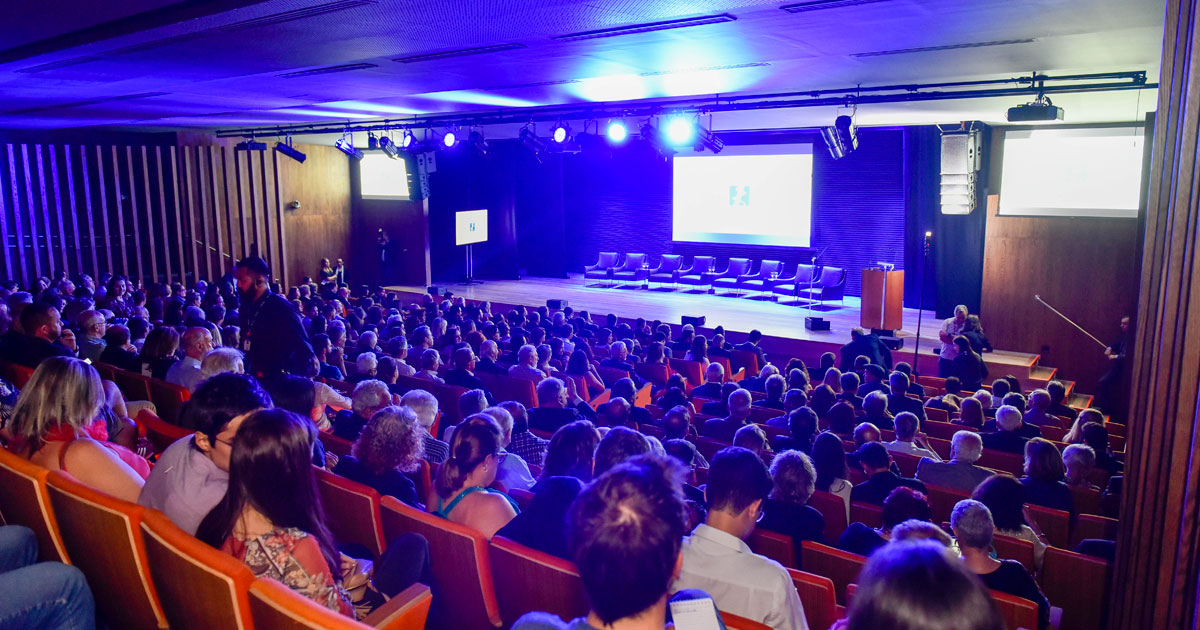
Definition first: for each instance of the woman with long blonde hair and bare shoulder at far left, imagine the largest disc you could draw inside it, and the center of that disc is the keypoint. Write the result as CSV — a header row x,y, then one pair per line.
x,y
50,424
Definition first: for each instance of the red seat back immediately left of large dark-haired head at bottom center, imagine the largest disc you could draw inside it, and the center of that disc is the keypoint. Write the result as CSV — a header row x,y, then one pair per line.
x,y
529,580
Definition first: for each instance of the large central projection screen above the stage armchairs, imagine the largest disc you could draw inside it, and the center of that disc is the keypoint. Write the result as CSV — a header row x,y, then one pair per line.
x,y
747,196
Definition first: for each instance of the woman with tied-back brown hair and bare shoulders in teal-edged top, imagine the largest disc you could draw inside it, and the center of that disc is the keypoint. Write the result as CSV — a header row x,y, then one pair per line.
x,y
460,491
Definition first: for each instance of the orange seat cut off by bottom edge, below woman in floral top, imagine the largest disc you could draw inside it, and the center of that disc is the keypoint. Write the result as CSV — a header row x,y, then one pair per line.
x,y
275,607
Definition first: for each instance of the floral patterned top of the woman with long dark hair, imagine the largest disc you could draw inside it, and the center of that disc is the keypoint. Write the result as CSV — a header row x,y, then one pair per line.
x,y
292,557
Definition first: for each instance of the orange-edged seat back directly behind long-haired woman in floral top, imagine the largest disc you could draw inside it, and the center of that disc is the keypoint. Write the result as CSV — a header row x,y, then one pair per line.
x,y
200,587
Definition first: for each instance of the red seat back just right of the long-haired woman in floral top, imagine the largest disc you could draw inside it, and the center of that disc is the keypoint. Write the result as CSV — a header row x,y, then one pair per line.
x,y
352,512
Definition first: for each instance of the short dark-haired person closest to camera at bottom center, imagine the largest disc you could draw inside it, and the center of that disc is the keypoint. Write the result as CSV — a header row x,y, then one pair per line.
x,y
625,535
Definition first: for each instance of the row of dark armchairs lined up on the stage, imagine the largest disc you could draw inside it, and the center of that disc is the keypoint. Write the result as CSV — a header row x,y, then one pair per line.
x,y
807,283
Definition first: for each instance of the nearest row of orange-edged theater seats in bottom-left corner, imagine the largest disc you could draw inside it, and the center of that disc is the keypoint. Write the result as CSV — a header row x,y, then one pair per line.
x,y
147,574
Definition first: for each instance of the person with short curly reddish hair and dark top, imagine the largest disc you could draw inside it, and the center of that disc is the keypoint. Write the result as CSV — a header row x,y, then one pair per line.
x,y
391,446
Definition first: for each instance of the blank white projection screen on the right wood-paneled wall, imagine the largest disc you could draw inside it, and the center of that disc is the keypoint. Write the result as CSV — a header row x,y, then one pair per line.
x,y
1094,172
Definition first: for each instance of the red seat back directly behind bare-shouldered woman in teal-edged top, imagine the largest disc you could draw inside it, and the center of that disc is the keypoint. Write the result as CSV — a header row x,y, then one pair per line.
x,y
460,567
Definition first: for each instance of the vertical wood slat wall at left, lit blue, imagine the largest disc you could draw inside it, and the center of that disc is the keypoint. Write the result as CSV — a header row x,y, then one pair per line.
x,y
153,213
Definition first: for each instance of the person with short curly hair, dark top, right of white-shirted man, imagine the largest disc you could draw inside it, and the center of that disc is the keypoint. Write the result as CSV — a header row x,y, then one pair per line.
x,y
787,511
